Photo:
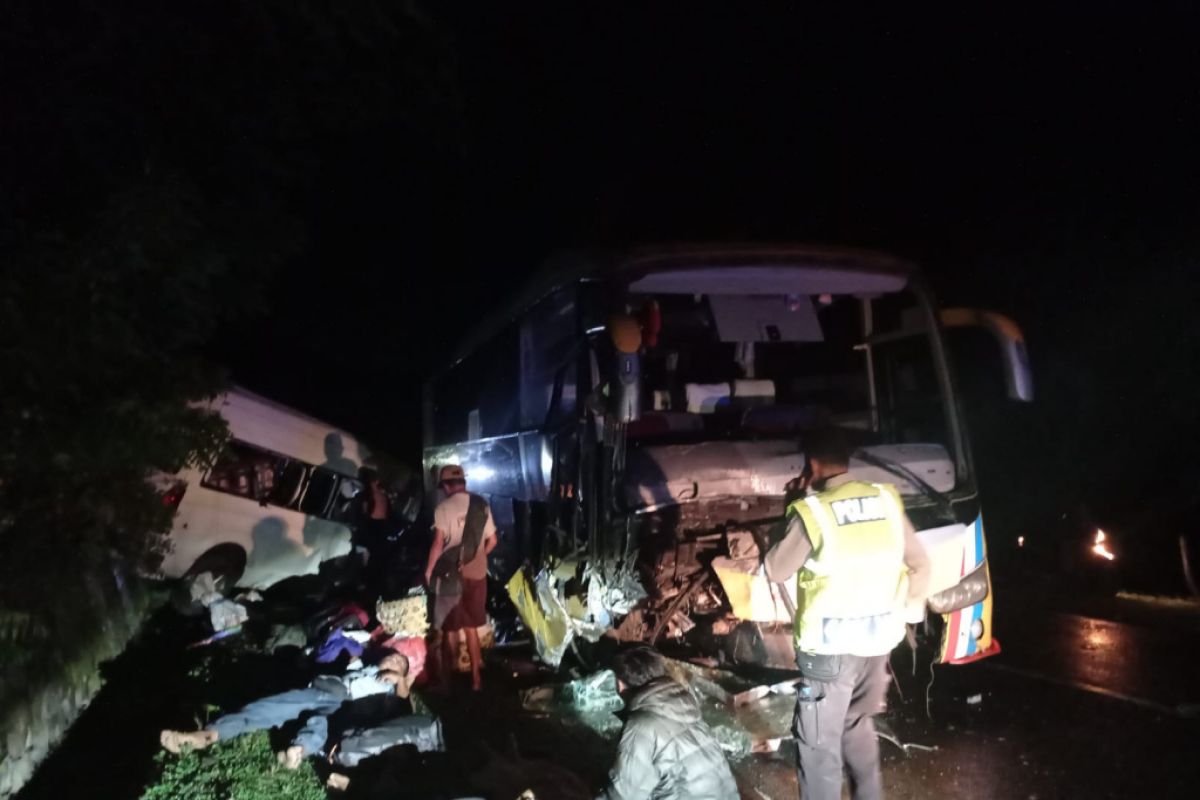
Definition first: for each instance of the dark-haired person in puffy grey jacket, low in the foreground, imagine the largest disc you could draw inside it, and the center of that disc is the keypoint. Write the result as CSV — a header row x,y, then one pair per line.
x,y
667,751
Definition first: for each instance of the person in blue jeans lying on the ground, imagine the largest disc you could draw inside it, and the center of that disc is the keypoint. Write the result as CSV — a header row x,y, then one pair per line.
x,y
323,696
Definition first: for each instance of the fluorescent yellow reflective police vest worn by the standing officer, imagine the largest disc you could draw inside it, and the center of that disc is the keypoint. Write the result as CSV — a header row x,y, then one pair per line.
x,y
850,593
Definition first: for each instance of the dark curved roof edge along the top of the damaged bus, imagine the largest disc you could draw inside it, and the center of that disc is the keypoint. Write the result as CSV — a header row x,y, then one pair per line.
x,y
580,266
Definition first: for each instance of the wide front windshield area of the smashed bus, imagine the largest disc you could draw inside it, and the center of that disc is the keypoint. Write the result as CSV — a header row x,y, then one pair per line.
x,y
757,366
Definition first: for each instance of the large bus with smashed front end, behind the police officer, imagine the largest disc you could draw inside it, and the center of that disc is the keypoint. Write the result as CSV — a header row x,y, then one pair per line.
x,y
637,420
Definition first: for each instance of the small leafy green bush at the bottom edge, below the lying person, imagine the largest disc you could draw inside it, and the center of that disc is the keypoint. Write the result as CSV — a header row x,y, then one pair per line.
x,y
241,769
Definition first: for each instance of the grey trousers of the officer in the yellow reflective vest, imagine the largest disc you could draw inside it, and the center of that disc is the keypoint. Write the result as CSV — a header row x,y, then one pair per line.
x,y
835,729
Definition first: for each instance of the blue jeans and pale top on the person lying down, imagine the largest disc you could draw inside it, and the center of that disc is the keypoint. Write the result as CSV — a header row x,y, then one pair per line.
x,y
322,699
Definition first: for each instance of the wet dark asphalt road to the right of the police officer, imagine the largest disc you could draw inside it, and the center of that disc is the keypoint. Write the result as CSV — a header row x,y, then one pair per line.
x,y
1075,707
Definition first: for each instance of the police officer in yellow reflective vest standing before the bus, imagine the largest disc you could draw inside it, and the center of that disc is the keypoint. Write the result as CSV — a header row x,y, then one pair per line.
x,y
861,575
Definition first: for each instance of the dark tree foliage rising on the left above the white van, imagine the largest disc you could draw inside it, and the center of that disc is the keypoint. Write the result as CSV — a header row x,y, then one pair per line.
x,y
161,163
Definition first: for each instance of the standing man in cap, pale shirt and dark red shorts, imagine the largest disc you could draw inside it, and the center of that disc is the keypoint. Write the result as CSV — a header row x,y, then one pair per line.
x,y
457,572
